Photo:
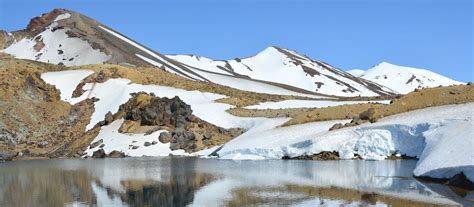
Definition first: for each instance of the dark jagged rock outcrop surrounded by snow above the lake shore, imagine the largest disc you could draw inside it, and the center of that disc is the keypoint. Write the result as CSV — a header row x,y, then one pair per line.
x,y
185,131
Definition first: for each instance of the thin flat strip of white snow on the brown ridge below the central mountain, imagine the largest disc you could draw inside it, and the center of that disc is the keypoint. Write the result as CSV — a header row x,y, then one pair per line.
x,y
286,104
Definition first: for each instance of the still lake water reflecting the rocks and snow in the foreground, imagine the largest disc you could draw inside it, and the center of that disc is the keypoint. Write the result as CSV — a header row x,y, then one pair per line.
x,y
212,182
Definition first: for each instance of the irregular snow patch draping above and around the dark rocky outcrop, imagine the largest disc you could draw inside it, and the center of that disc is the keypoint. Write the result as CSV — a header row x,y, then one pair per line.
x,y
114,92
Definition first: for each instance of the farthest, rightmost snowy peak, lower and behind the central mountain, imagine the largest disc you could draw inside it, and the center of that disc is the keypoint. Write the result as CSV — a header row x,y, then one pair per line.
x,y
403,79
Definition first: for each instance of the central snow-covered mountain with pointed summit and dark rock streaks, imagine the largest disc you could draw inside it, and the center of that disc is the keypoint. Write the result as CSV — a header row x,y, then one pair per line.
x,y
283,66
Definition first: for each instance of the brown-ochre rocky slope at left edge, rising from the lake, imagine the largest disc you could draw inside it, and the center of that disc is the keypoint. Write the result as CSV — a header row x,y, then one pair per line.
x,y
32,116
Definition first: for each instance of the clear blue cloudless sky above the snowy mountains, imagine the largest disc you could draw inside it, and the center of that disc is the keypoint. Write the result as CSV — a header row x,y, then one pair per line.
x,y
436,35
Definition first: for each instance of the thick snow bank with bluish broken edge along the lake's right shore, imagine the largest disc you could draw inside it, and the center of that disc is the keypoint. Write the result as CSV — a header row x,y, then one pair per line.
x,y
441,137
